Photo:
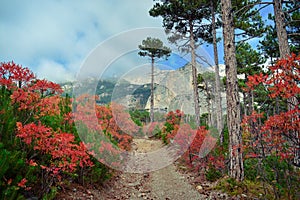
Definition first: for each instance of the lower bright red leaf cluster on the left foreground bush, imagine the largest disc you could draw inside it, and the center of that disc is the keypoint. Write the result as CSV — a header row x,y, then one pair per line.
x,y
65,152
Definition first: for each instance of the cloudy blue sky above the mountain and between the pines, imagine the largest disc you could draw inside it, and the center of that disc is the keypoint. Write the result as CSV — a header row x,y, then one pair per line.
x,y
56,38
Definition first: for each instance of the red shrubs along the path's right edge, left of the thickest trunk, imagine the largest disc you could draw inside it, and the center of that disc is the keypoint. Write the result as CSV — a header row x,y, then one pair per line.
x,y
195,145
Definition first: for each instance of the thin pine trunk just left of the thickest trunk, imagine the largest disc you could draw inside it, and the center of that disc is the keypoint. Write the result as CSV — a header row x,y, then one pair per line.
x,y
219,114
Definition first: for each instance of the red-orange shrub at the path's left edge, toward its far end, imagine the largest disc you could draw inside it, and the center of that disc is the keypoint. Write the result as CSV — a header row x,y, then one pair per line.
x,y
111,120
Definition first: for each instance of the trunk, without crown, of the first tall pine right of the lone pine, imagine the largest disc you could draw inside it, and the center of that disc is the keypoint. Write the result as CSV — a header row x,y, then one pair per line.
x,y
194,75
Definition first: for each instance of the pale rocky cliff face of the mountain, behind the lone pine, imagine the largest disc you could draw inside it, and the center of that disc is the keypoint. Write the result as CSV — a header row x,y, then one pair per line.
x,y
174,89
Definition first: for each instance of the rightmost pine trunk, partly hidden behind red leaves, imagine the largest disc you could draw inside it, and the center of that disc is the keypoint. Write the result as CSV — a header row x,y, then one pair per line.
x,y
284,50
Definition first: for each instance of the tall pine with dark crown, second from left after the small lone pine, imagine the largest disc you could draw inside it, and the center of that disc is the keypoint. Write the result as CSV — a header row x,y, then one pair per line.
x,y
184,20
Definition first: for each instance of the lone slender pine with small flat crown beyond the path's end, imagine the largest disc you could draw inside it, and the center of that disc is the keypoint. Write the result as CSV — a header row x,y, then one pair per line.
x,y
153,48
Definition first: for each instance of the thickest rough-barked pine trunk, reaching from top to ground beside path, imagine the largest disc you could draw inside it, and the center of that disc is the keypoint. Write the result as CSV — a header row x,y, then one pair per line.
x,y
236,168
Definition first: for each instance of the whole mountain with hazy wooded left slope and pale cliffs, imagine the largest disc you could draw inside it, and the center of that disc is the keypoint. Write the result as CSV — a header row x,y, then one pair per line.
x,y
173,89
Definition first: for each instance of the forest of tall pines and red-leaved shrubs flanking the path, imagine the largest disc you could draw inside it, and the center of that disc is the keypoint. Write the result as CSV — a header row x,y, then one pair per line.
x,y
52,140
